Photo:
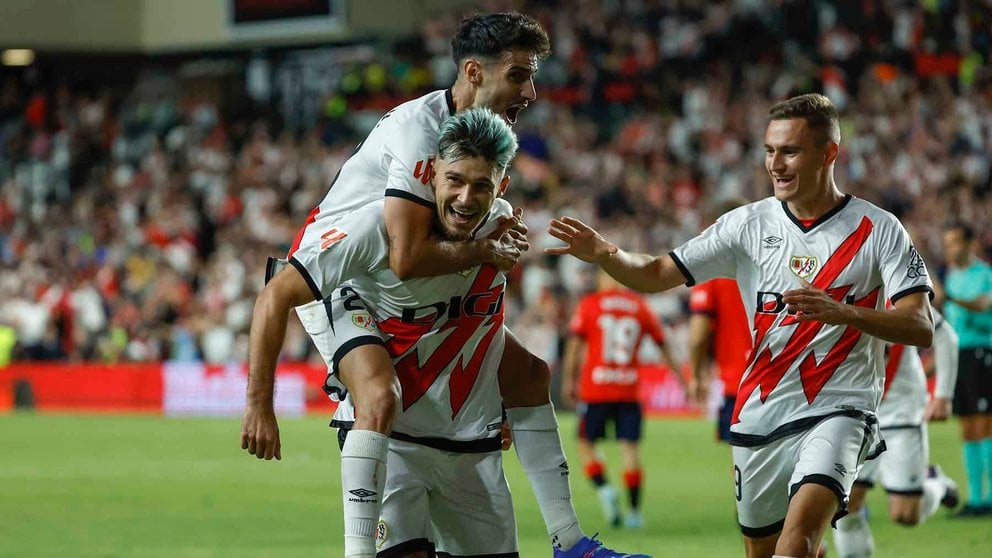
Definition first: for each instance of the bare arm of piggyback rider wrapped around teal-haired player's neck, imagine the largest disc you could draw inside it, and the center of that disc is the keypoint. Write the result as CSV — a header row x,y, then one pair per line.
x,y
415,252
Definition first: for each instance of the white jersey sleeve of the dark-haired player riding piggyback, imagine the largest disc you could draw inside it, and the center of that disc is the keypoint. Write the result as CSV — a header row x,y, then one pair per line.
x,y
409,152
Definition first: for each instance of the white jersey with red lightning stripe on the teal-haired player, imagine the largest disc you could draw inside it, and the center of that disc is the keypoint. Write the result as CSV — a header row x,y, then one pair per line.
x,y
445,333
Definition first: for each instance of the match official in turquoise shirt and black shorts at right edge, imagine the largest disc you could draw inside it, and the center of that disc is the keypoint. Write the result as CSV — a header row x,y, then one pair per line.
x,y
968,290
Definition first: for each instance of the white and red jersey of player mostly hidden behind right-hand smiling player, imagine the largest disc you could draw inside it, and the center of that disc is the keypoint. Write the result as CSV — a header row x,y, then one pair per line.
x,y
905,397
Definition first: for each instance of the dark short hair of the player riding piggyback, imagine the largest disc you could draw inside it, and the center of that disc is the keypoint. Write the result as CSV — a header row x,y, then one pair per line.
x,y
490,35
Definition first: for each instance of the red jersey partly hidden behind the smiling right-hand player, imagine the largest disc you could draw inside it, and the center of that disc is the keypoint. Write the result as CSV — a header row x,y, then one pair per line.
x,y
720,300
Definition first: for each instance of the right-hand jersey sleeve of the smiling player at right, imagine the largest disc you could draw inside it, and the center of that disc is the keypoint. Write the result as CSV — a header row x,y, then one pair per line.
x,y
902,267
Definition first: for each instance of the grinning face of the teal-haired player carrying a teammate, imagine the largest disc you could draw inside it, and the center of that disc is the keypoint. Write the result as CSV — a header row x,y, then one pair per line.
x,y
465,191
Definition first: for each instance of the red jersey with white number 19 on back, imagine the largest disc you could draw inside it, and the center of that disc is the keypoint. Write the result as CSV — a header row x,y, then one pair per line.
x,y
613,323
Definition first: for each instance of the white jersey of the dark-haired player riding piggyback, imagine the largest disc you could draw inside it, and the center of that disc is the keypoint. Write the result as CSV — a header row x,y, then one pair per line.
x,y
396,159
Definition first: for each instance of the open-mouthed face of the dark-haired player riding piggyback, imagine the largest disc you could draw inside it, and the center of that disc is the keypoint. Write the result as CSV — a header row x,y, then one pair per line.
x,y
506,84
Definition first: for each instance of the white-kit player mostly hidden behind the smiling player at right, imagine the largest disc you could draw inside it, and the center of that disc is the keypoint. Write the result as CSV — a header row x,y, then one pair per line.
x,y
916,491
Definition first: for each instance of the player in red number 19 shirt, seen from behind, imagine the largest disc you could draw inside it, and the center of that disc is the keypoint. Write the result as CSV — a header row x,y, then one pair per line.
x,y
607,331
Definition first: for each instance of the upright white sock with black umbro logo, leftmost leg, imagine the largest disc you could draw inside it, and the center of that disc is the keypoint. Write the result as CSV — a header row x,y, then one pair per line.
x,y
363,479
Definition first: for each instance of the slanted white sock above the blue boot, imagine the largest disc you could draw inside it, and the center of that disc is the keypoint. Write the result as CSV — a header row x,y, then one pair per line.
x,y
538,446
